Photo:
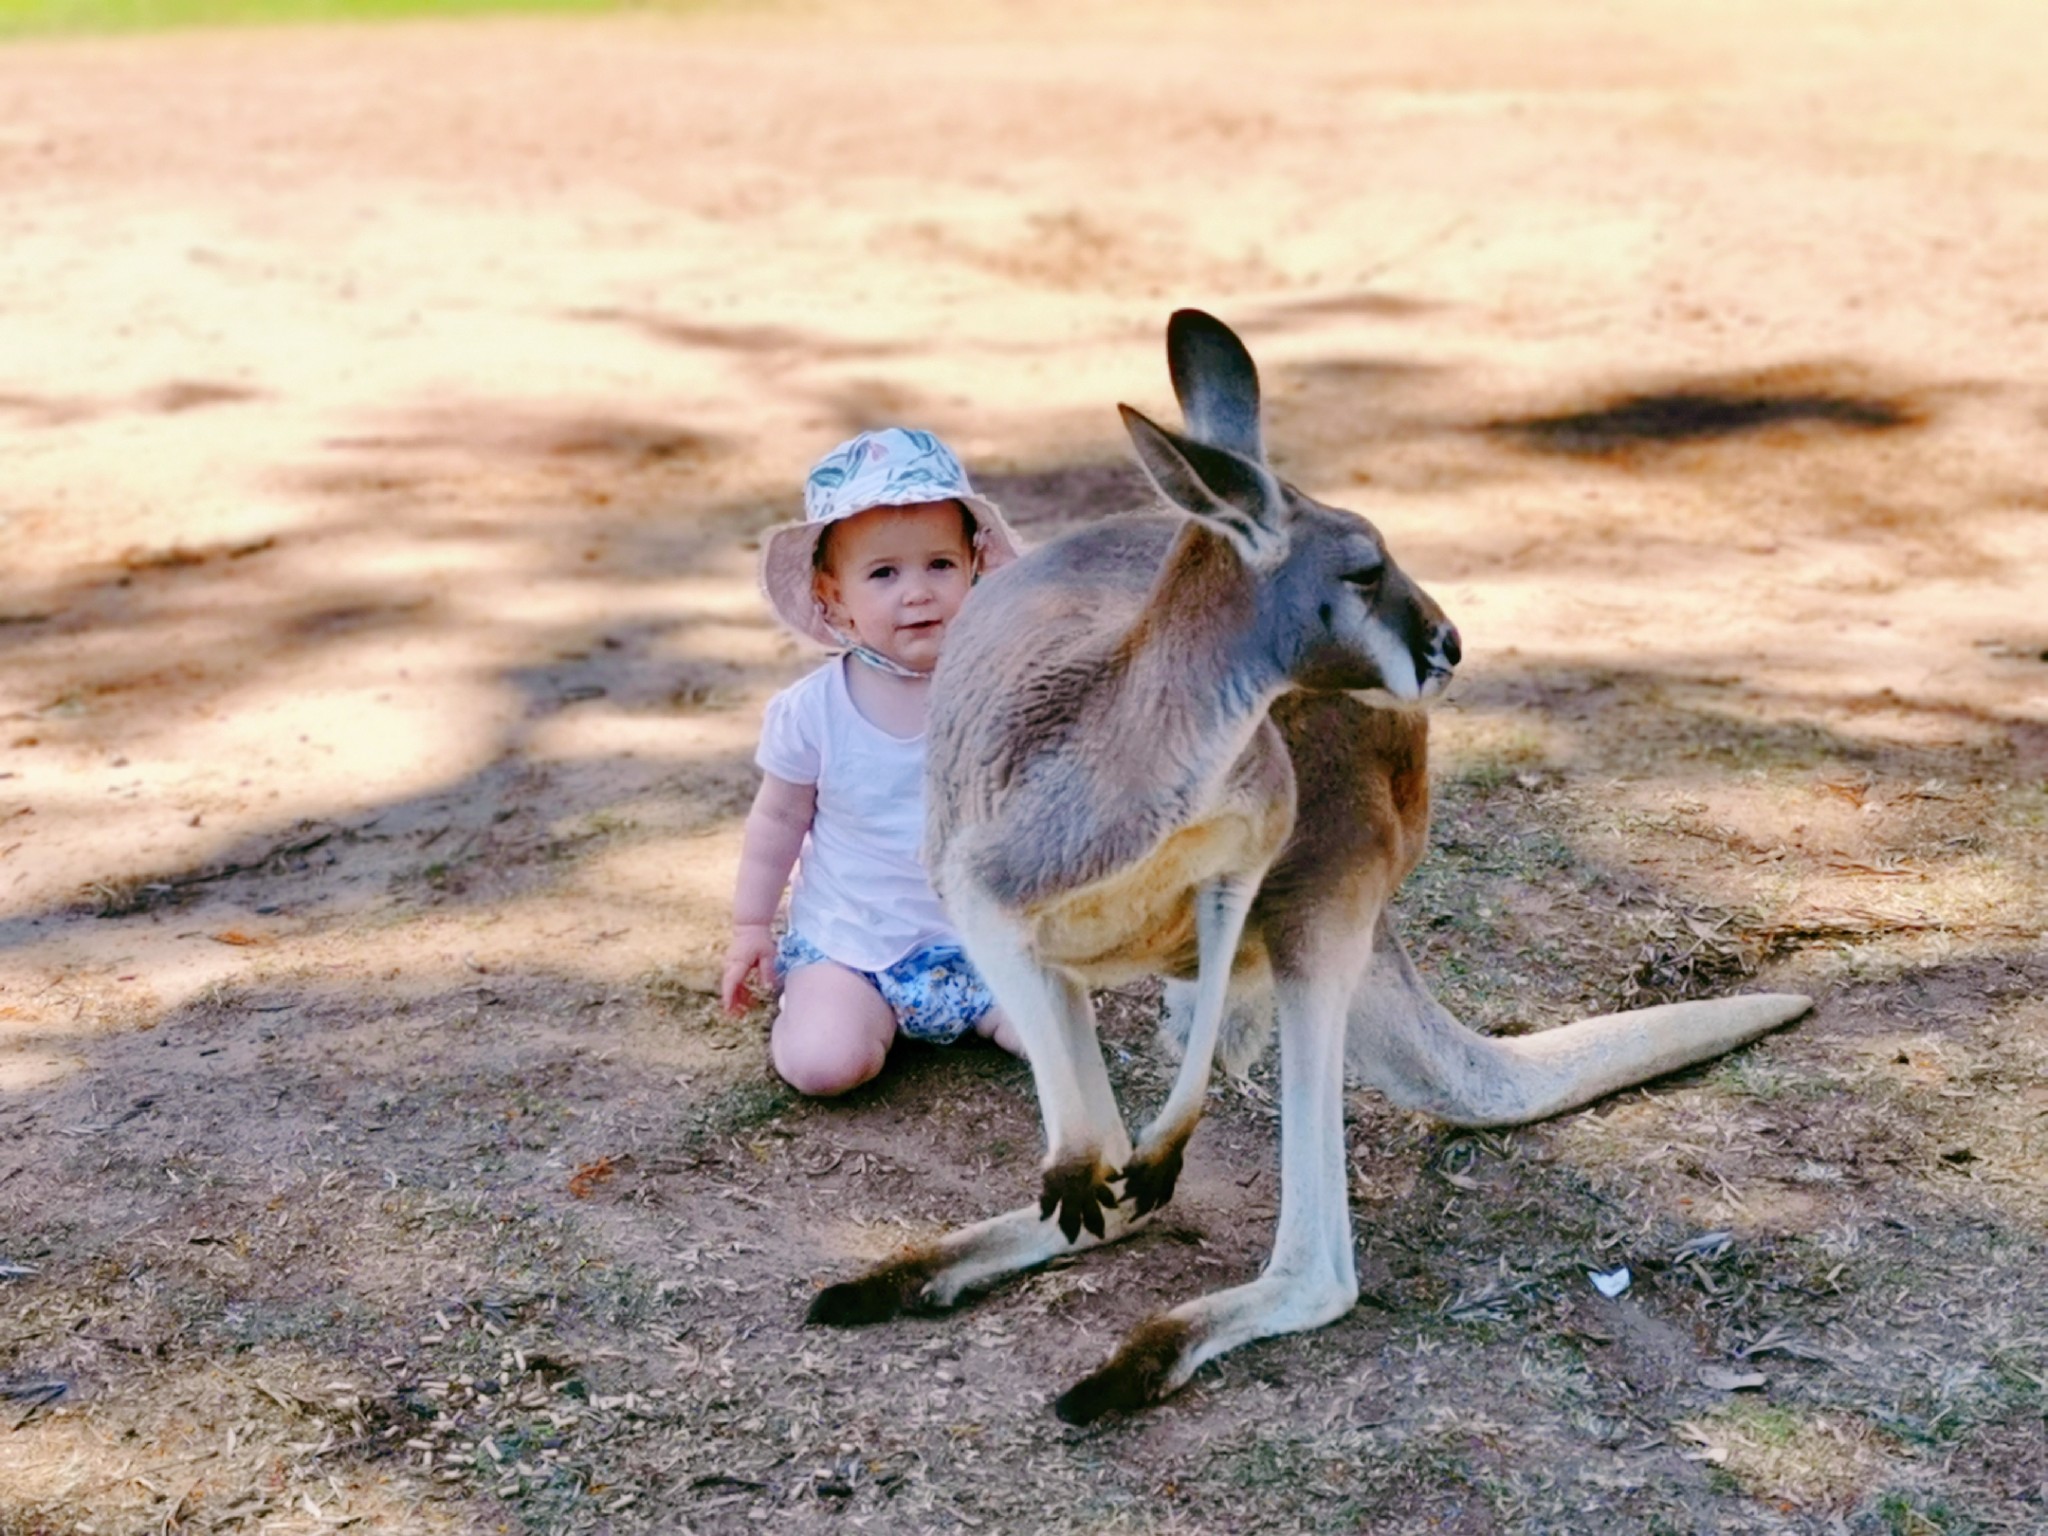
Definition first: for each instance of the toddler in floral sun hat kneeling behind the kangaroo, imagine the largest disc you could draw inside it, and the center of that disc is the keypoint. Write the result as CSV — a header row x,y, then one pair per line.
x,y
890,546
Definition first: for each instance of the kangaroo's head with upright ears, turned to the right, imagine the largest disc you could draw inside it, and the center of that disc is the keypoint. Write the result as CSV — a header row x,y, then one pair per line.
x,y
1334,611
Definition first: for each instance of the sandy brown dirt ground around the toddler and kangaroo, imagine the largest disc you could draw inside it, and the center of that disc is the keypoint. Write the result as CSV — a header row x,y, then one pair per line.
x,y
386,425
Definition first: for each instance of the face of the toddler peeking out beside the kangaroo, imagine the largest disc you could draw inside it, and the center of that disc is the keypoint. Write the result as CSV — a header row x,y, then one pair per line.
x,y
896,577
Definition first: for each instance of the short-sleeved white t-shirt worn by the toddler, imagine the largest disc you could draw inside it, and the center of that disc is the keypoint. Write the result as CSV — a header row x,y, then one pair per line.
x,y
861,892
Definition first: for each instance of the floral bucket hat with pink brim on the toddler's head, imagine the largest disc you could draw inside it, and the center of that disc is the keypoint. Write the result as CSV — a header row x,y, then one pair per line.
x,y
890,468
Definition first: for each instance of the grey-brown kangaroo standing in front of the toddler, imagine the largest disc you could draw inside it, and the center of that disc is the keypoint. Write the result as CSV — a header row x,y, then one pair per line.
x,y
1193,744
